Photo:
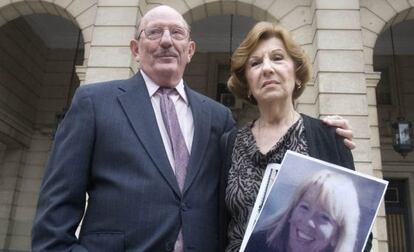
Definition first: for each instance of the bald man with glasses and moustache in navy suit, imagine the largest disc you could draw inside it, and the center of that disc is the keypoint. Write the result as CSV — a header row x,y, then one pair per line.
x,y
146,150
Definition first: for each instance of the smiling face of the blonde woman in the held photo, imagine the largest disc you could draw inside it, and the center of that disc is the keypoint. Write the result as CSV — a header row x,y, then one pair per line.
x,y
311,228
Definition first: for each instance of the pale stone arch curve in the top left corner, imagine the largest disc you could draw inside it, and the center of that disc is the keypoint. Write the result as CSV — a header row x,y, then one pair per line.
x,y
80,12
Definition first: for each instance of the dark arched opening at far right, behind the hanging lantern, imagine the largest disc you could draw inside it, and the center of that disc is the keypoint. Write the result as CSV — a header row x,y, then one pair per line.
x,y
394,96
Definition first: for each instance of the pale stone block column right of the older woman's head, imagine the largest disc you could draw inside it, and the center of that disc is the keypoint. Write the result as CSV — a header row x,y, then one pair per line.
x,y
341,84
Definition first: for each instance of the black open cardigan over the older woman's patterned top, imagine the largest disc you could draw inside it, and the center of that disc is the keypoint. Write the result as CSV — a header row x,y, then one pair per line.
x,y
323,143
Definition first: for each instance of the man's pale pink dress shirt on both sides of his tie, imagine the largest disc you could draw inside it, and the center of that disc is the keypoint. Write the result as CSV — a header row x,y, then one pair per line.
x,y
184,114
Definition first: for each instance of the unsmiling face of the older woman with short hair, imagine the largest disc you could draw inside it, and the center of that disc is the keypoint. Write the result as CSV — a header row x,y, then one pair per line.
x,y
270,71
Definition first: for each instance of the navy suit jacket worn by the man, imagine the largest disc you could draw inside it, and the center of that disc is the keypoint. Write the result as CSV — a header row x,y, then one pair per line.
x,y
109,146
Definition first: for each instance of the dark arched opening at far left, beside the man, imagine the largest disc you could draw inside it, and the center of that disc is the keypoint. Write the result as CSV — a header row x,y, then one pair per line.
x,y
40,47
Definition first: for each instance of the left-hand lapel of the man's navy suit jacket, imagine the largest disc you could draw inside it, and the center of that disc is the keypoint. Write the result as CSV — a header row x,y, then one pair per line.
x,y
137,106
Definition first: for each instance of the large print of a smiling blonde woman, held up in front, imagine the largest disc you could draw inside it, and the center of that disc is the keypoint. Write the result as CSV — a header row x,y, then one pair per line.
x,y
315,206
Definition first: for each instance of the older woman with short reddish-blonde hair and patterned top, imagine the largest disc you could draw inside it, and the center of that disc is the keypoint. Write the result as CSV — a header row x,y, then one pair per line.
x,y
269,70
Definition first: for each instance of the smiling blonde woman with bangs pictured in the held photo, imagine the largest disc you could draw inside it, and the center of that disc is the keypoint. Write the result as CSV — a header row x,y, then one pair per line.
x,y
322,217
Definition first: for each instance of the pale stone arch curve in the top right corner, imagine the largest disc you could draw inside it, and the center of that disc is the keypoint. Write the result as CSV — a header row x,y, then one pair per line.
x,y
376,17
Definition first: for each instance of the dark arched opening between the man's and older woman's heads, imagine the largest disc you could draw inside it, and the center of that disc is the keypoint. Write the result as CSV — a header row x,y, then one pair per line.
x,y
210,67
